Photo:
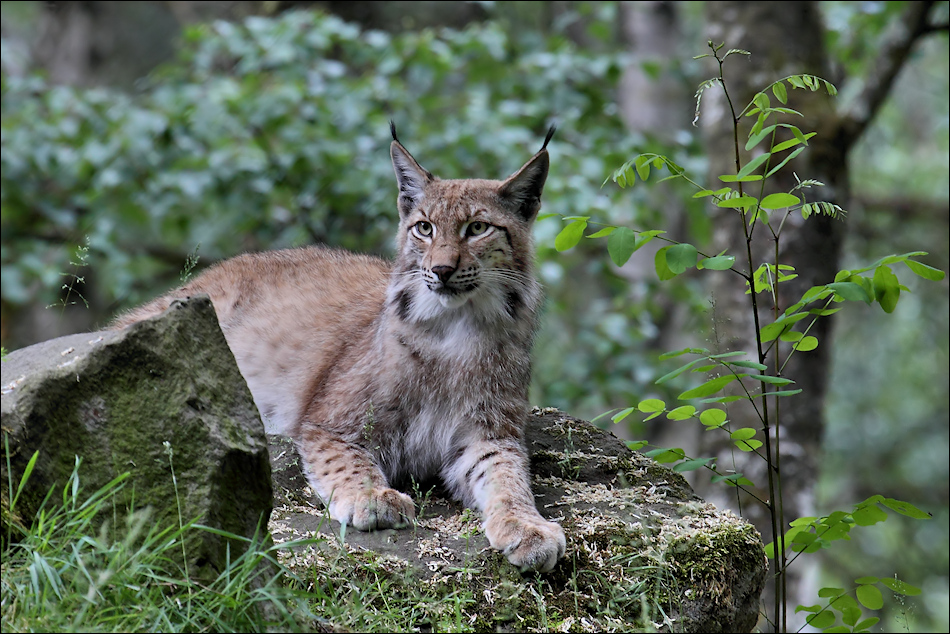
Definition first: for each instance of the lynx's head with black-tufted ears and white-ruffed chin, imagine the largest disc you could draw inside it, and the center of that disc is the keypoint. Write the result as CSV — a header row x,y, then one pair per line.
x,y
466,244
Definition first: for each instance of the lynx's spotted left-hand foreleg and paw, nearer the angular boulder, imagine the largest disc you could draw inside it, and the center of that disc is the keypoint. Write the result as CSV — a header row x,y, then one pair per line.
x,y
348,480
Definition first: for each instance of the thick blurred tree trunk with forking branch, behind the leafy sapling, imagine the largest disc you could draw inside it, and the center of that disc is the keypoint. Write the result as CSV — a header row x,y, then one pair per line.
x,y
785,38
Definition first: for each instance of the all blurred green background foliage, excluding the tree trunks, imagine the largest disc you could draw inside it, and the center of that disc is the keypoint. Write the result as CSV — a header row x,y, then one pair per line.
x,y
273,131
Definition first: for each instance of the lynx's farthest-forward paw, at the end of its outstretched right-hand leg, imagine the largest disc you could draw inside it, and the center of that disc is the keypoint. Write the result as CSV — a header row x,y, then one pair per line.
x,y
530,543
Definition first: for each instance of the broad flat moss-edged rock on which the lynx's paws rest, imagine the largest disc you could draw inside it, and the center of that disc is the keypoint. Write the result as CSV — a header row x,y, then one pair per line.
x,y
643,551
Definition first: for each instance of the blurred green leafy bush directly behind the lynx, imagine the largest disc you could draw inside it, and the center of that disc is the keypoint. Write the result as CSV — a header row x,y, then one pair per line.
x,y
274,132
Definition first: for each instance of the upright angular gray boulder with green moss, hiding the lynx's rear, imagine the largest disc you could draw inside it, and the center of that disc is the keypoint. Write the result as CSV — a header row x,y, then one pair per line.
x,y
114,397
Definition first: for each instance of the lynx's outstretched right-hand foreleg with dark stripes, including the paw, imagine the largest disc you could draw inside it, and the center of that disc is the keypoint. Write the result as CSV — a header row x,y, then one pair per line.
x,y
494,477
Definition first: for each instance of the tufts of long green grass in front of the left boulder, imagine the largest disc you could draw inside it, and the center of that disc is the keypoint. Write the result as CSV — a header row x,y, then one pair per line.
x,y
65,574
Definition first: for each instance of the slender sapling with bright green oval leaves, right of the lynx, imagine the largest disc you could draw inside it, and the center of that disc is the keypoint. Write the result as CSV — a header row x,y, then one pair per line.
x,y
734,370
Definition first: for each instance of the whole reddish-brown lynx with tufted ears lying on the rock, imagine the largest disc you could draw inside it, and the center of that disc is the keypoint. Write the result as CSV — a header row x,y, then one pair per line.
x,y
386,371
